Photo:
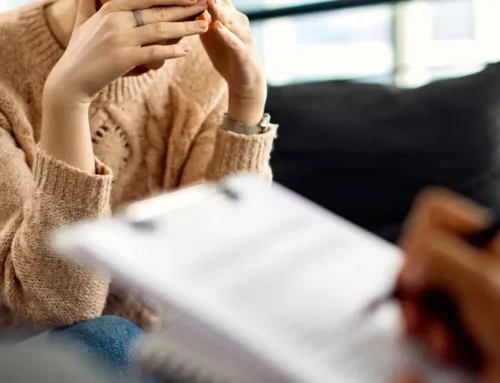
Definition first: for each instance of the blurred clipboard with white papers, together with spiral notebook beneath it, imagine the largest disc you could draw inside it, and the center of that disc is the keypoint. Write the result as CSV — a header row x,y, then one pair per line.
x,y
262,285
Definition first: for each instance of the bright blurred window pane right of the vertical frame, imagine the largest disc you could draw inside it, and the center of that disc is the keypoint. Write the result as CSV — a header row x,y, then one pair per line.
x,y
439,39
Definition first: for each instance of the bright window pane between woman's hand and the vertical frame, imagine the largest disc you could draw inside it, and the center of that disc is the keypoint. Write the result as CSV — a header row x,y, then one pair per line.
x,y
354,43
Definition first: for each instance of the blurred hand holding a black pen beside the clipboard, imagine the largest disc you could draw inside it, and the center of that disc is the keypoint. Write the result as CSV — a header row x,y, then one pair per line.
x,y
449,286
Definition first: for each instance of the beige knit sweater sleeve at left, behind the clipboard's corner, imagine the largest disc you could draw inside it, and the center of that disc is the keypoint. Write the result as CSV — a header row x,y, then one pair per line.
x,y
35,282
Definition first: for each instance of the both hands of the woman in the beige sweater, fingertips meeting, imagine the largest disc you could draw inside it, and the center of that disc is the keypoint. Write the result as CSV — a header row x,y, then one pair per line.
x,y
109,43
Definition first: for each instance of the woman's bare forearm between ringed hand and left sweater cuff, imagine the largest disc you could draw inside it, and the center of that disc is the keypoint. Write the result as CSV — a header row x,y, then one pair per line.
x,y
66,132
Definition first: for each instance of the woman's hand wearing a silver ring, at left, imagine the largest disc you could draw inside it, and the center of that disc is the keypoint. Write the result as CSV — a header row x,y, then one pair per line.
x,y
107,44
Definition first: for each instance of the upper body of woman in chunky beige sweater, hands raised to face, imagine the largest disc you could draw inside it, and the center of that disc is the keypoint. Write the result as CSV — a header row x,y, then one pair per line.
x,y
103,106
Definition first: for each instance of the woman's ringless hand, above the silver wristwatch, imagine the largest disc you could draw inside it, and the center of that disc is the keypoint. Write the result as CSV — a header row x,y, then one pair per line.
x,y
229,44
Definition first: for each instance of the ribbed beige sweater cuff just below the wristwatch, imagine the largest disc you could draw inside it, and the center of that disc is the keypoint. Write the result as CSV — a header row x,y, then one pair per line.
x,y
239,153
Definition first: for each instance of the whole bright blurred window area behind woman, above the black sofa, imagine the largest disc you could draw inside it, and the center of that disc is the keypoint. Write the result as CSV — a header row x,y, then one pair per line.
x,y
407,43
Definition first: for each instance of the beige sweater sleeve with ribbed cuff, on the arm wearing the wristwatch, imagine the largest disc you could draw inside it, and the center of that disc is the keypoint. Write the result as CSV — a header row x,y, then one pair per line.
x,y
217,153
